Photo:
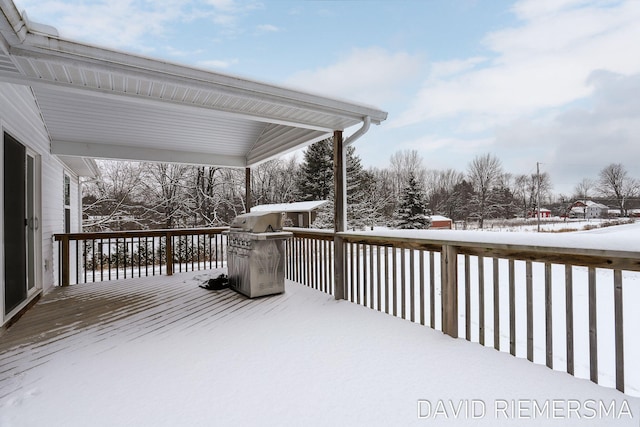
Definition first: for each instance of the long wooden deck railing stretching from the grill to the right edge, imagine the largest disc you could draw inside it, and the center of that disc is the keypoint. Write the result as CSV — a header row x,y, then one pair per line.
x,y
545,303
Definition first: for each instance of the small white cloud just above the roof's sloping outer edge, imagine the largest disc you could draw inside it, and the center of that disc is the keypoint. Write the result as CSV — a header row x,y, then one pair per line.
x,y
373,75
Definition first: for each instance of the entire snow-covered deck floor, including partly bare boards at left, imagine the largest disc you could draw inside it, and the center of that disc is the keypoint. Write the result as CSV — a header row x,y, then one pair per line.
x,y
162,351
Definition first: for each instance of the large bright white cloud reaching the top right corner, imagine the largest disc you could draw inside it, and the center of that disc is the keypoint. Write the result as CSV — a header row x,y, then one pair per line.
x,y
545,62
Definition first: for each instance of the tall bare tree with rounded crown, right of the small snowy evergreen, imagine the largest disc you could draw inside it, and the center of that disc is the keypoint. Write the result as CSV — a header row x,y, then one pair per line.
x,y
484,173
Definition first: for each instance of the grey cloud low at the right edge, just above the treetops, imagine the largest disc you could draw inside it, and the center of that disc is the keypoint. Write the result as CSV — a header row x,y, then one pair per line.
x,y
582,140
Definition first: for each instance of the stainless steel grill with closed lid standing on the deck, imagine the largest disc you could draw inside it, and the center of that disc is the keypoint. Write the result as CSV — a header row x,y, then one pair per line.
x,y
256,256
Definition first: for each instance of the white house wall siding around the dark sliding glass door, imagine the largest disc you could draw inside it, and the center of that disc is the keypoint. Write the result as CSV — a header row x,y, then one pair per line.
x,y
20,117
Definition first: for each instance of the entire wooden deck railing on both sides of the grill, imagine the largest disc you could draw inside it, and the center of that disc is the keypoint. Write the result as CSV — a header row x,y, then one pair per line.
x,y
556,305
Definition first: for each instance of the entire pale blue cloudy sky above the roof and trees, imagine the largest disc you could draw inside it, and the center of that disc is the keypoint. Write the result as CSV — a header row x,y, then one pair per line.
x,y
549,81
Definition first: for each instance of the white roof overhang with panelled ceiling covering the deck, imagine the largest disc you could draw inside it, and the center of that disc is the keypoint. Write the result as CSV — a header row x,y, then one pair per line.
x,y
100,103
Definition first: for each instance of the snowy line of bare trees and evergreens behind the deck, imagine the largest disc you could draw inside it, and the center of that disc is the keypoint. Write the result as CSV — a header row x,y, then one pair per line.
x,y
138,195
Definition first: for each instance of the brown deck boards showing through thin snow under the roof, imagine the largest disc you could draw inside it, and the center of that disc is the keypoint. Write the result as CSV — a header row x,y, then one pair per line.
x,y
81,316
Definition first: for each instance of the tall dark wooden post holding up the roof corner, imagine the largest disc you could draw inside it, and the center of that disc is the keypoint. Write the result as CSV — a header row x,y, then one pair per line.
x,y
339,211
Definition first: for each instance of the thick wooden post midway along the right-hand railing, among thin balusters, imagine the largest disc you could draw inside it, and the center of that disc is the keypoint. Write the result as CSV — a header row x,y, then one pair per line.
x,y
449,274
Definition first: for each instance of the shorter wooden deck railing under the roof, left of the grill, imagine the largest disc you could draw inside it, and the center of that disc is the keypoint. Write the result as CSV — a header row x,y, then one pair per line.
x,y
94,257
